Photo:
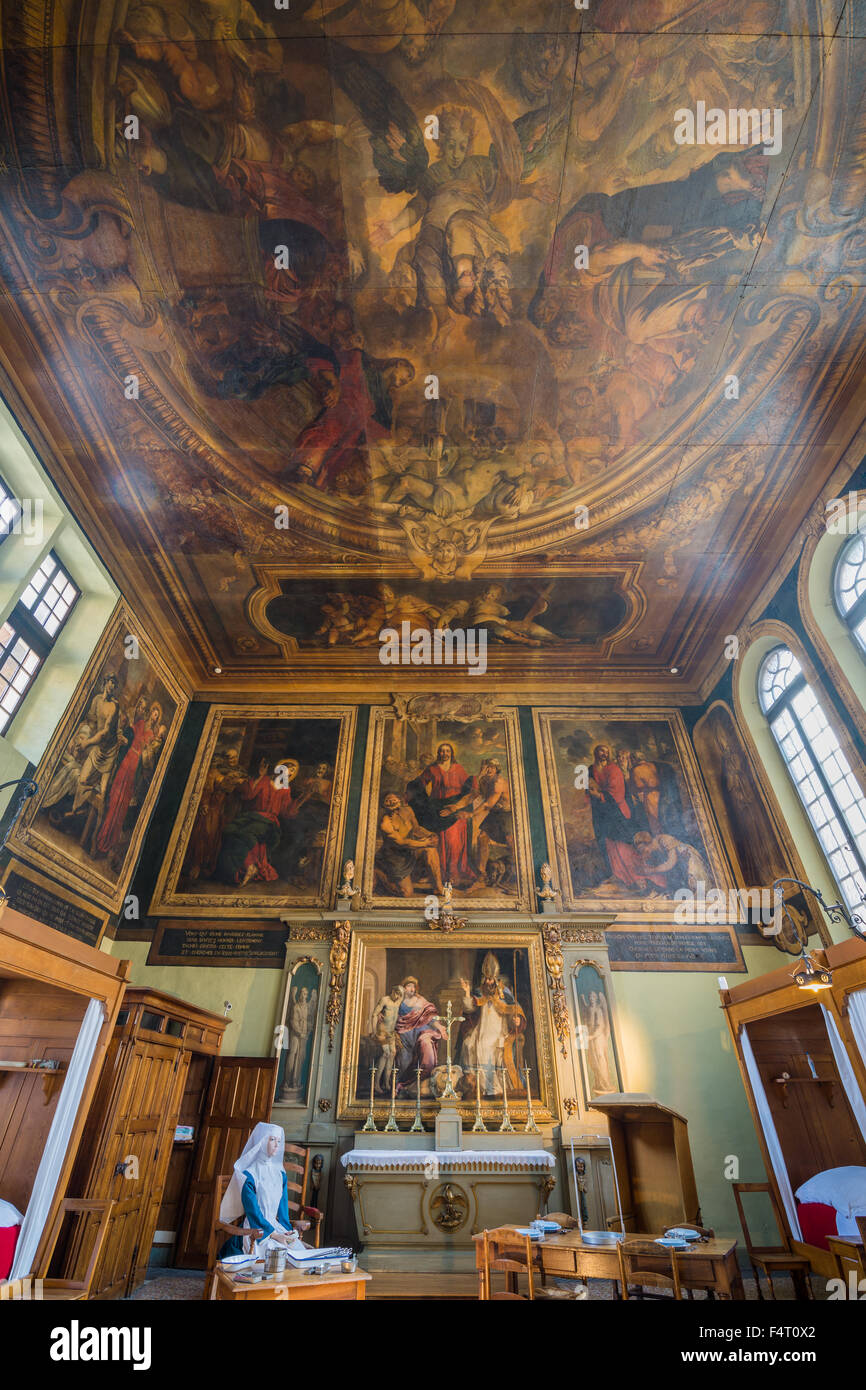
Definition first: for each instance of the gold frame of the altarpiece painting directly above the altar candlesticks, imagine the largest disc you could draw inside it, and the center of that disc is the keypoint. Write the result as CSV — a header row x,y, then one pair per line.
x,y
455,953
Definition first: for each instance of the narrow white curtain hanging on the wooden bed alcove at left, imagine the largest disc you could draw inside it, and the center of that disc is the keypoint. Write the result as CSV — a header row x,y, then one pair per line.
x,y
58,1143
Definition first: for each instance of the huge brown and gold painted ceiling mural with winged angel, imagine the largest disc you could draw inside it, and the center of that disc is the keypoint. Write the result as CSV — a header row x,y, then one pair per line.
x,y
380,309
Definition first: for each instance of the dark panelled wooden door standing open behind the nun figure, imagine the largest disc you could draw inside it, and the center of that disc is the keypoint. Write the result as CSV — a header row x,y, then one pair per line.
x,y
241,1095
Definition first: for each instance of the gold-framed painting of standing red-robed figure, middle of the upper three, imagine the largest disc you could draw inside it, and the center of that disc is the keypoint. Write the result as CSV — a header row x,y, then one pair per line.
x,y
444,803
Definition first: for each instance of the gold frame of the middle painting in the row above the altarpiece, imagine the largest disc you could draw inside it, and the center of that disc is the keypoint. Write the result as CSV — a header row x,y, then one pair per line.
x,y
382,722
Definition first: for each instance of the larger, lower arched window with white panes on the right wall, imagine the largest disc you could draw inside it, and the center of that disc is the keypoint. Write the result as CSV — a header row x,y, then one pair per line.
x,y
821,772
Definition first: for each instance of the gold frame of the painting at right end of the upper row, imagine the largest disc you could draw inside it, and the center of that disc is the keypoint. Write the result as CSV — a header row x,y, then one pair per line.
x,y
575,899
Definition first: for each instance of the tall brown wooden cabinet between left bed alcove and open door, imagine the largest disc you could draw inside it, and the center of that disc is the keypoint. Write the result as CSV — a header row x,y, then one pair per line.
x,y
130,1139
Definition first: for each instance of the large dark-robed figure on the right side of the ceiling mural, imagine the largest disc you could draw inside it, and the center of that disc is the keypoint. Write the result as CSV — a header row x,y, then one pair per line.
x,y
655,320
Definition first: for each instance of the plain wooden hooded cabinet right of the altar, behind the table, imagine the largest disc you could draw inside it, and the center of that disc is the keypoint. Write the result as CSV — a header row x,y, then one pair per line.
x,y
654,1163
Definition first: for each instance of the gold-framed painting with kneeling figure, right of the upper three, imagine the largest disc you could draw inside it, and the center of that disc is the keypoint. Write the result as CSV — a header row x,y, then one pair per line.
x,y
625,812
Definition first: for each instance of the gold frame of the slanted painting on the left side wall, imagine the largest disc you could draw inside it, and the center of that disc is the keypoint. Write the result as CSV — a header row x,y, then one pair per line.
x,y
35,839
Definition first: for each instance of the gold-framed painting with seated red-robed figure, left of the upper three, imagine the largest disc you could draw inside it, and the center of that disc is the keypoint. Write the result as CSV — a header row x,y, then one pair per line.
x,y
263,814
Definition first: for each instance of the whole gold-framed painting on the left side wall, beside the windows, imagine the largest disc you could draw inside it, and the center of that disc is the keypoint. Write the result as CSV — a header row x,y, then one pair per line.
x,y
102,772
